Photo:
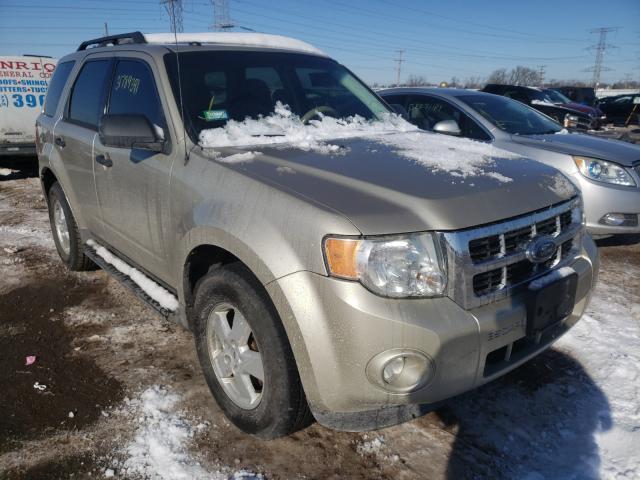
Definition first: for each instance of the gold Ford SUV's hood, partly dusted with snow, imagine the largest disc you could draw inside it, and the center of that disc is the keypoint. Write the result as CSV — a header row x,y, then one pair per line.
x,y
384,187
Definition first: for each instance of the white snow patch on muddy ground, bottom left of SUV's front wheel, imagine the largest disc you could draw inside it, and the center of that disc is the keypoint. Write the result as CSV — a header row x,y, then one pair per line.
x,y
160,448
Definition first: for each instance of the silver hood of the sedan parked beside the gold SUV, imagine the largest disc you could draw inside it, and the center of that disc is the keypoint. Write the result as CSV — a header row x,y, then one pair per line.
x,y
623,153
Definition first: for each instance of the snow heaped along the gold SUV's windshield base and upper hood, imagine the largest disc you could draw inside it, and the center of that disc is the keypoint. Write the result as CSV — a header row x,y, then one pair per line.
x,y
459,156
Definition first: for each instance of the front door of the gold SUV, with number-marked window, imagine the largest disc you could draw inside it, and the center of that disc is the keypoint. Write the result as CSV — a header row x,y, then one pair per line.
x,y
133,191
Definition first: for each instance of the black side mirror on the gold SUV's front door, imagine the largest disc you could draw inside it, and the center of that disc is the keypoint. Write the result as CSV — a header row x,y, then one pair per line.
x,y
129,131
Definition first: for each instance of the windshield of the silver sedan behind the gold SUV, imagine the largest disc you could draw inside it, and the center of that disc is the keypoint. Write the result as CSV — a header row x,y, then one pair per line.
x,y
511,116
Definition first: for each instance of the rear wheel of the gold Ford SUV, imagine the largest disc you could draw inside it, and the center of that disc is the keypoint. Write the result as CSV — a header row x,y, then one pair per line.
x,y
69,245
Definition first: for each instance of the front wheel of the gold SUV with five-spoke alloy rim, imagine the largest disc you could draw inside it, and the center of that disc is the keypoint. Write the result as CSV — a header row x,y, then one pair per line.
x,y
231,294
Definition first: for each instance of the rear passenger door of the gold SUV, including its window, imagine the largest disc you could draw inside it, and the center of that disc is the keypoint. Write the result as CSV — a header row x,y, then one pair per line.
x,y
75,133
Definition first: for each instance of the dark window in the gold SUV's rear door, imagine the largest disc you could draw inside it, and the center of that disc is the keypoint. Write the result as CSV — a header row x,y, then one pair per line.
x,y
87,98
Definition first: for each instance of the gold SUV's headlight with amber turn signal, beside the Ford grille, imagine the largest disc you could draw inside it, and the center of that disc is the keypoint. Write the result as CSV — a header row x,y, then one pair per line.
x,y
390,266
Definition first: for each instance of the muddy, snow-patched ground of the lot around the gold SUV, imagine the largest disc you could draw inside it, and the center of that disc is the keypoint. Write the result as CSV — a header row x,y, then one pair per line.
x,y
125,397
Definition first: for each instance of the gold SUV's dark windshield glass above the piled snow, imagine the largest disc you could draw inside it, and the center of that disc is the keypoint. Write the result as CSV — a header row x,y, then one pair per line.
x,y
219,86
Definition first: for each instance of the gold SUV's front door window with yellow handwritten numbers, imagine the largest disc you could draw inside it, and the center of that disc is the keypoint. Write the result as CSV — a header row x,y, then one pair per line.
x,y
134,91
